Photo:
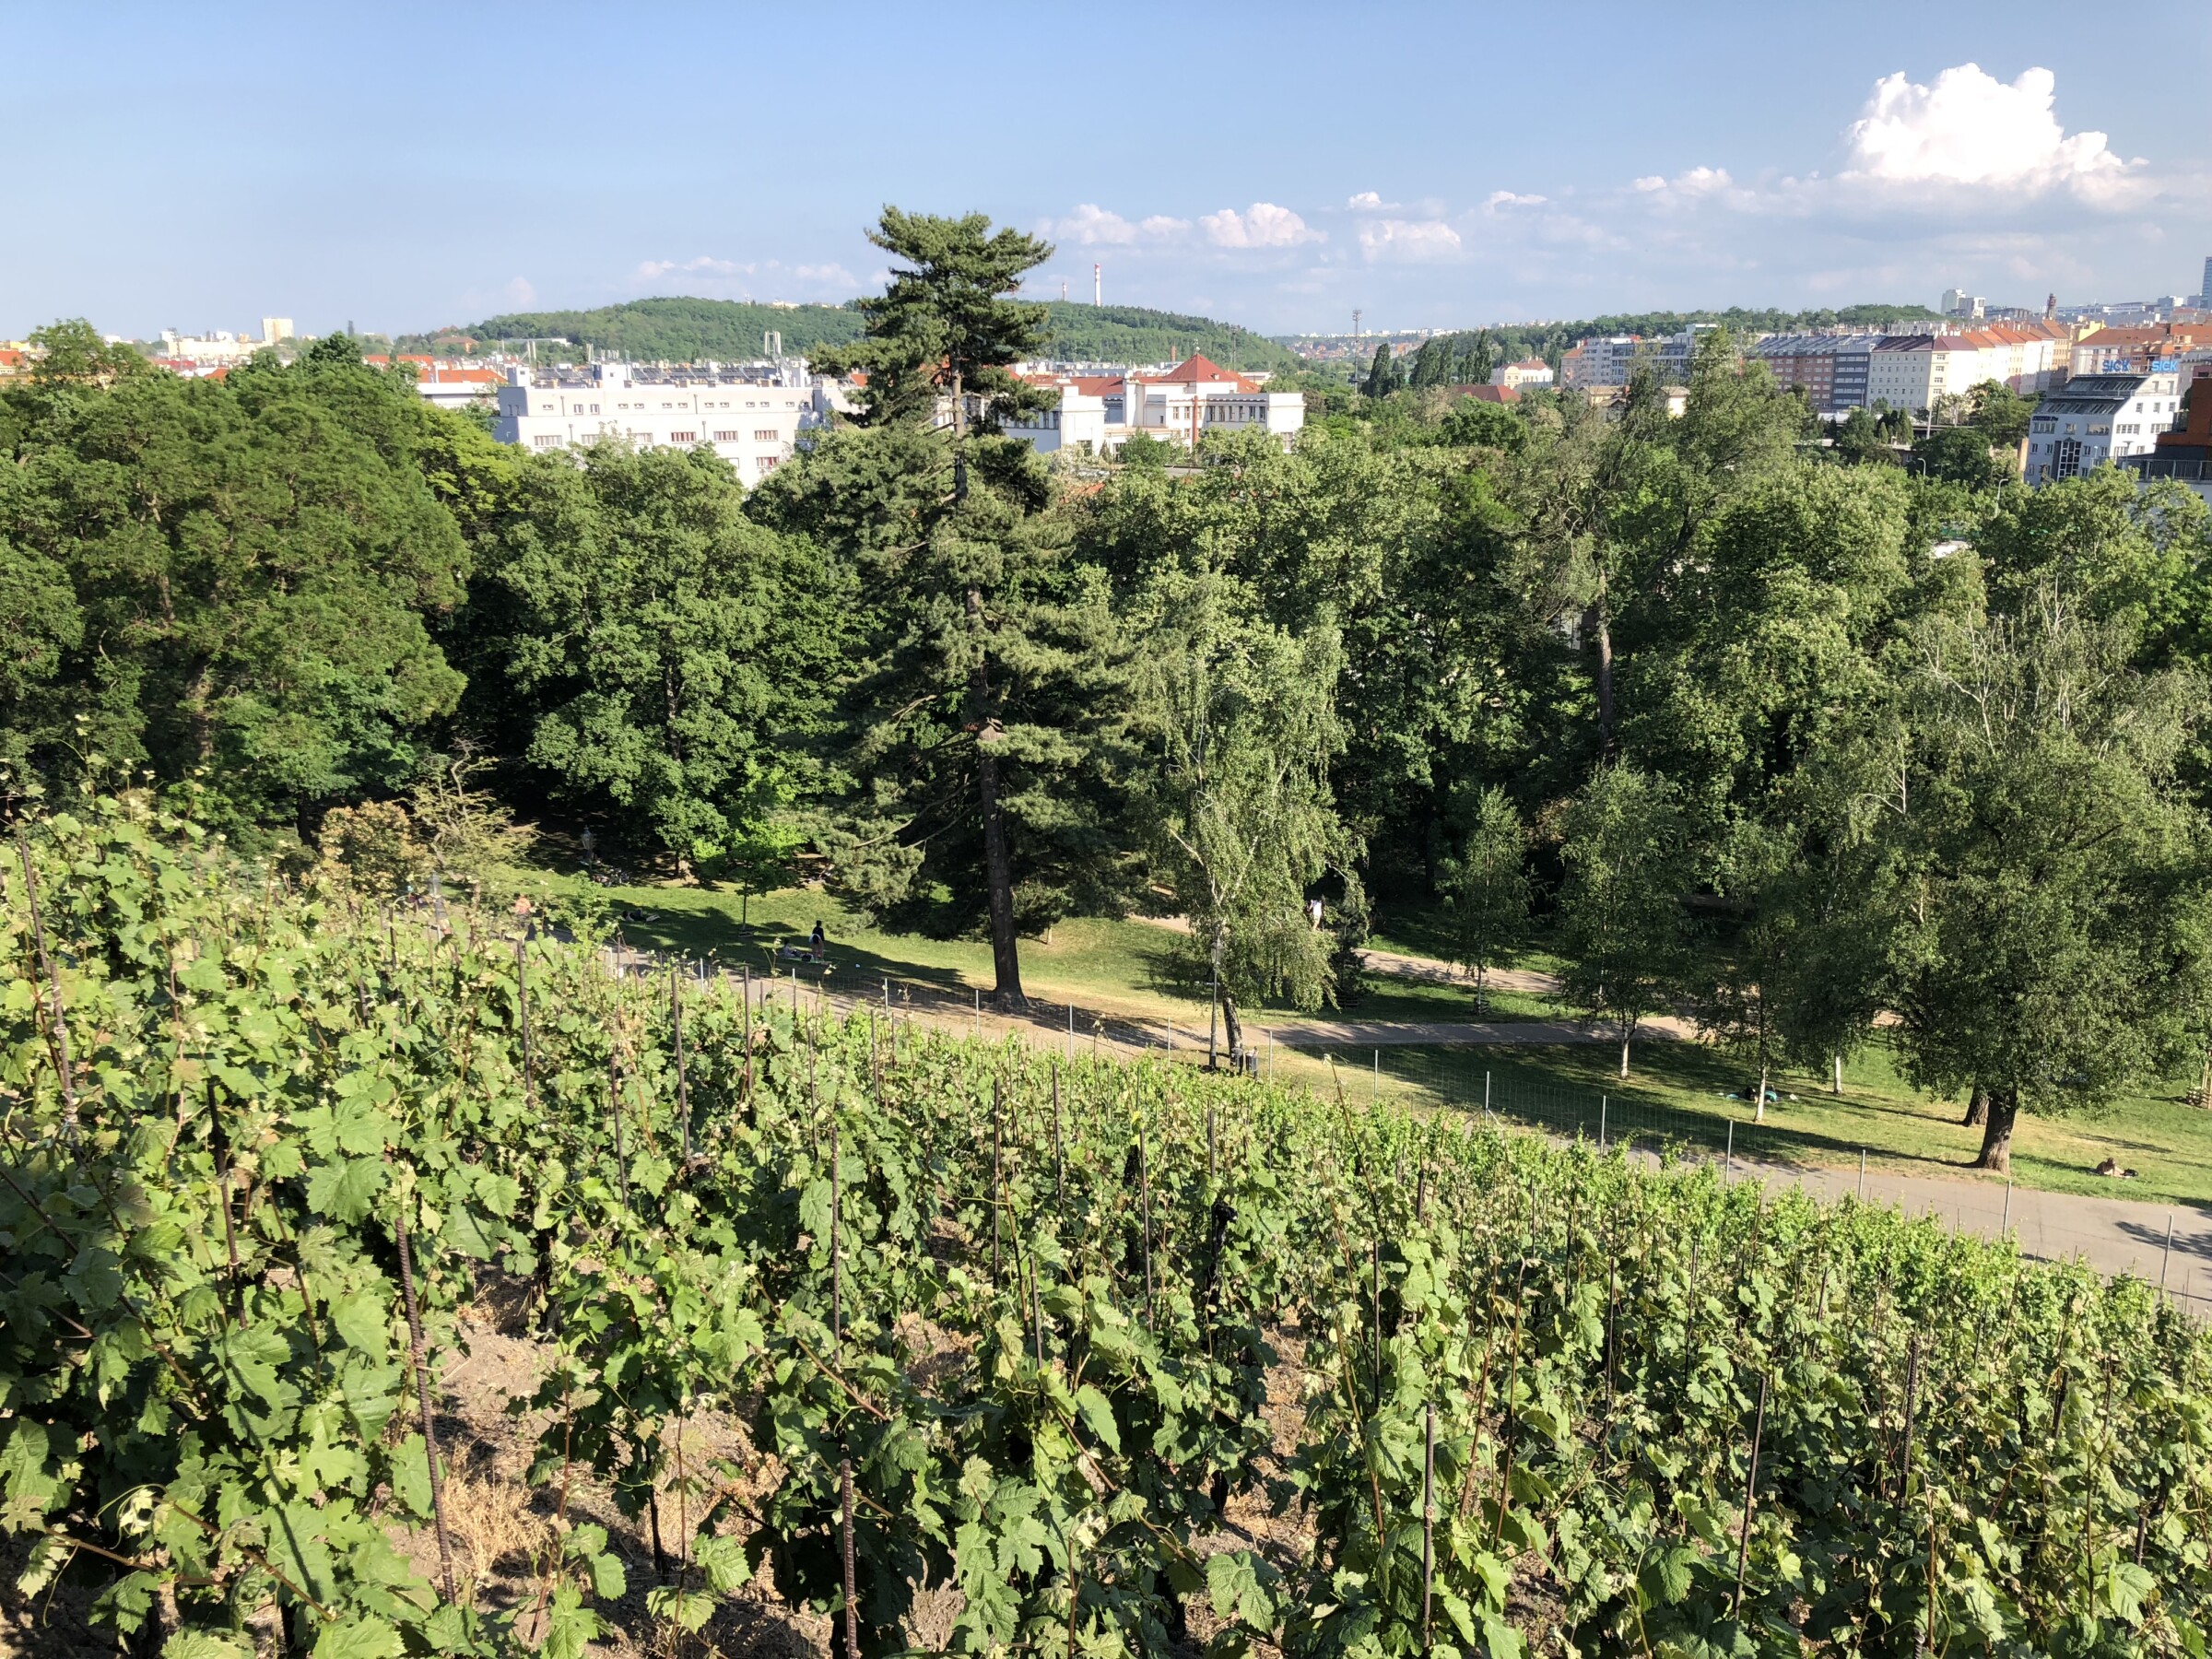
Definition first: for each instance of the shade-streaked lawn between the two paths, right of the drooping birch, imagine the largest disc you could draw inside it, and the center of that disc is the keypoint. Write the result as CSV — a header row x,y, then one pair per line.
x,y
2160,1136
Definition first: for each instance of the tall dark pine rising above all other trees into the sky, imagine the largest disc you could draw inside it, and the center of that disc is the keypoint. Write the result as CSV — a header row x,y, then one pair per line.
x,y
972,724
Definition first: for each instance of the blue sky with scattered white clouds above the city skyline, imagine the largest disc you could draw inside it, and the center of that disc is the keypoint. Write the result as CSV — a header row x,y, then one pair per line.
x,y
1277,165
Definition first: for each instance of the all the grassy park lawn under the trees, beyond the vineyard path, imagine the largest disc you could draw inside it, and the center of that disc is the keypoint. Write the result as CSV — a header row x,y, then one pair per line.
x,y
1129,972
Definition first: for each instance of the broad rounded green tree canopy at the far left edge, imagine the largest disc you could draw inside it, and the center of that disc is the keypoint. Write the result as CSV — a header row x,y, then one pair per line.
x,y
225,581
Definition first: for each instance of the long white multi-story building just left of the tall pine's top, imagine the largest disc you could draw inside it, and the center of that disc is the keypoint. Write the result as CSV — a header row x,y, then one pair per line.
x,y
751,415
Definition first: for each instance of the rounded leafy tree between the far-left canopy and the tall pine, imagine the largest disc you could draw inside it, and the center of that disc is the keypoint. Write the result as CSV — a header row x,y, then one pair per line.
x,y
654,654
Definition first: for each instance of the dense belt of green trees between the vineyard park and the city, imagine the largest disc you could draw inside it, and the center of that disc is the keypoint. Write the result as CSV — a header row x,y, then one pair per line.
x,y
1780,731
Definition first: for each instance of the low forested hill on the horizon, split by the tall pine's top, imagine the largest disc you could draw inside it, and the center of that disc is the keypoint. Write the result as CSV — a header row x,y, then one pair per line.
x,y
724,328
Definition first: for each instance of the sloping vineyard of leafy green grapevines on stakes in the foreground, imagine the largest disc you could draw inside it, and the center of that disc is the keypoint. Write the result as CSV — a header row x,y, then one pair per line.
x,y
1008,1350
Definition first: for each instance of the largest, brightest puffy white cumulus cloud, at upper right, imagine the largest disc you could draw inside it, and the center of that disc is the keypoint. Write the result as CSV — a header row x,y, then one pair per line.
x,y
1972,129
